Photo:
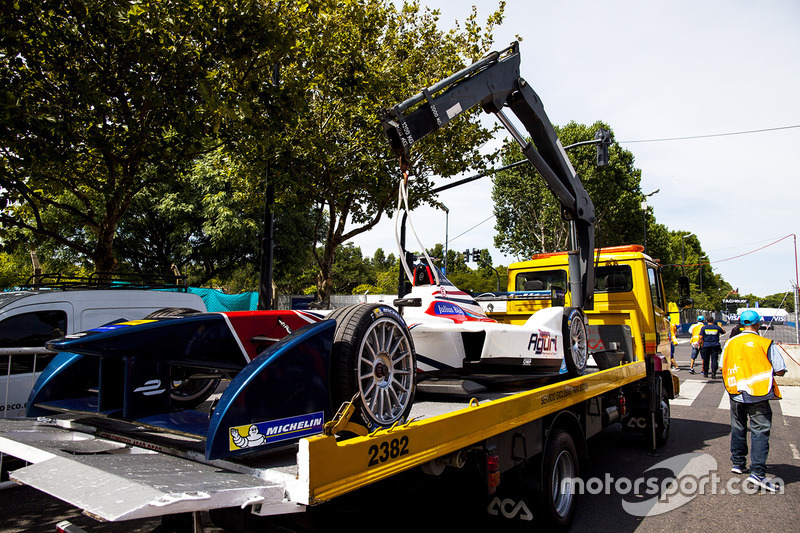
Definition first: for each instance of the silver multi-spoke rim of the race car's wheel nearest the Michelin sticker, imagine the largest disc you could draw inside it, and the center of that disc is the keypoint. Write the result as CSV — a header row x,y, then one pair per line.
x,y
385,371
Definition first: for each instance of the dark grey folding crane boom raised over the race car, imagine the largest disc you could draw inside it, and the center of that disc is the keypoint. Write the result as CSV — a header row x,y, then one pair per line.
x,y
494,82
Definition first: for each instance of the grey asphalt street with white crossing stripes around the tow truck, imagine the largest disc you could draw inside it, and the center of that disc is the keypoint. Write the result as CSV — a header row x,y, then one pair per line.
x,y
706,495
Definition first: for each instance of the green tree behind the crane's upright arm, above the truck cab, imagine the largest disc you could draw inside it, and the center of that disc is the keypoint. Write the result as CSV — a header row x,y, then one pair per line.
x,y
528,216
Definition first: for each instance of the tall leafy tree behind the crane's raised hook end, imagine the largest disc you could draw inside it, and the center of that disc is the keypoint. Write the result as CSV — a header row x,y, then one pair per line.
x,y
370,57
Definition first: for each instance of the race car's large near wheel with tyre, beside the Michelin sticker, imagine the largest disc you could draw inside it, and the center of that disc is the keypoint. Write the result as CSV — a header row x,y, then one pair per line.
x,y
373,357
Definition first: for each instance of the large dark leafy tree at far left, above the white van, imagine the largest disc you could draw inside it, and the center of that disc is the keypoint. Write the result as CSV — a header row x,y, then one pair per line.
x,y
103,99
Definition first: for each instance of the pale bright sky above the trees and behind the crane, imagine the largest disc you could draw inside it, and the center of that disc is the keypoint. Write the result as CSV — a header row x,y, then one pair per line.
x,y
663,70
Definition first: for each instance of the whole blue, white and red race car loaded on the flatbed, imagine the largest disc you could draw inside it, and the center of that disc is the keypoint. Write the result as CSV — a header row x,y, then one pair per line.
x,y
290,371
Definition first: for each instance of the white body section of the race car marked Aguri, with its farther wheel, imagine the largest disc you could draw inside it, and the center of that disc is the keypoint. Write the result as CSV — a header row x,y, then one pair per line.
x,y
452,334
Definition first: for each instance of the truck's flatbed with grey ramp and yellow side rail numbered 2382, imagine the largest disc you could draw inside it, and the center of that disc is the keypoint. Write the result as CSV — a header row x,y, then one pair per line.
x,y
113,471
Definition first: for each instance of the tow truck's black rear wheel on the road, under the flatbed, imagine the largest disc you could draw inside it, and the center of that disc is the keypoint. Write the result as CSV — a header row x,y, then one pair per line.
x,y
560,465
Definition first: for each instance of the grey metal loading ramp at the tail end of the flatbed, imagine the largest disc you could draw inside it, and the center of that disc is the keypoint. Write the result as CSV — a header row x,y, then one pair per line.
x,y
110,483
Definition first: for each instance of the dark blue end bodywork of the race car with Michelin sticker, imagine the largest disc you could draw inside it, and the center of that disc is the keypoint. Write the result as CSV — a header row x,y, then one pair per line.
x,y
122,372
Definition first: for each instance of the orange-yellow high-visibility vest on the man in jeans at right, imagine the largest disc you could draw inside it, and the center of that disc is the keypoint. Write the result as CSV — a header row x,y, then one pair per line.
x,y
746,367
